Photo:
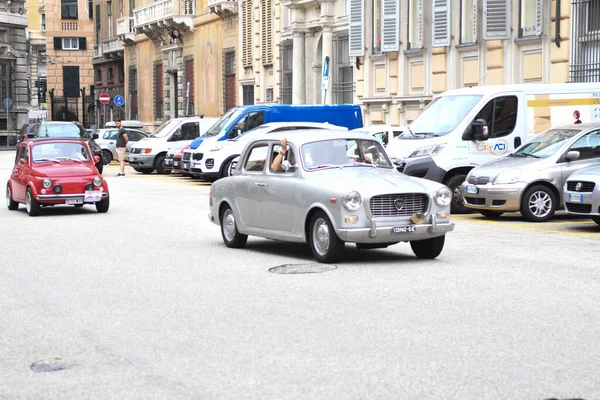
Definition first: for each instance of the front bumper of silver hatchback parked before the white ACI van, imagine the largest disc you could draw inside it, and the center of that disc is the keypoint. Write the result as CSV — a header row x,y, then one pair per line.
x,y
503,198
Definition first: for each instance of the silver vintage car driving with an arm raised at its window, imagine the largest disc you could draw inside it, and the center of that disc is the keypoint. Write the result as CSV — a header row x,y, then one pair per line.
x,y
328,189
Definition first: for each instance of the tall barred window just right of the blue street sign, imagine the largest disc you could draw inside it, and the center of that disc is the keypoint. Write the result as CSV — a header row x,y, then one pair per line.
x,y
343,80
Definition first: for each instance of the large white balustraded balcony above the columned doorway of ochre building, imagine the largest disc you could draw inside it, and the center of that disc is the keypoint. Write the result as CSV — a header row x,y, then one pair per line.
x,y
163,20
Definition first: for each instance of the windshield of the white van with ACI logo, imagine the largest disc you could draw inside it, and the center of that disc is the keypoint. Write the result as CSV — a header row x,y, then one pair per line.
x,y
441,116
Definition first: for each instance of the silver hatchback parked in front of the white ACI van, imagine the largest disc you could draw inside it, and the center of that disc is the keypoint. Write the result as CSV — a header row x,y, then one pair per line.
x,y
530,179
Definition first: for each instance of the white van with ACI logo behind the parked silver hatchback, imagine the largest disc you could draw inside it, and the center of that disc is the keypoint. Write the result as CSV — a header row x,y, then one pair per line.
x,y
466,127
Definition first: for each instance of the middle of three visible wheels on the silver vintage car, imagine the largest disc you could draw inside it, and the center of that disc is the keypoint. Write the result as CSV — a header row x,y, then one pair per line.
x,y
324,243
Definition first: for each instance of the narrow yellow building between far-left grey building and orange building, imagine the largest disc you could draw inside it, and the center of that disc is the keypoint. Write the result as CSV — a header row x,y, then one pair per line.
x,y
38,72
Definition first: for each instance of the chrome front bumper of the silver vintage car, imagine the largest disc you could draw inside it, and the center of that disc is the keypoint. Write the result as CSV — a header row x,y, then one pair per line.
x,y
381,232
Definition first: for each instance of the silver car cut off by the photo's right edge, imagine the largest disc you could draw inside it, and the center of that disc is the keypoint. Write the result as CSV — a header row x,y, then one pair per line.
x,y
581,192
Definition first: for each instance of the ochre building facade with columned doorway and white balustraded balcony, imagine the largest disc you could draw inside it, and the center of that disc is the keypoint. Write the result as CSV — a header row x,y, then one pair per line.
x,y
180,58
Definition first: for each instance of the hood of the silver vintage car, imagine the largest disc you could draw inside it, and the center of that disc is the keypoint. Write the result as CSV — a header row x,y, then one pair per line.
x,y
370,181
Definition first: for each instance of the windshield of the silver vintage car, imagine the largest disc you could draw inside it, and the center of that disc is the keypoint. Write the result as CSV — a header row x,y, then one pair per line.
x,y
334,153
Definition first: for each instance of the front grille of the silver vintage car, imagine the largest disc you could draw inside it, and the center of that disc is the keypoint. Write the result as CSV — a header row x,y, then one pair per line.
x,y
398,205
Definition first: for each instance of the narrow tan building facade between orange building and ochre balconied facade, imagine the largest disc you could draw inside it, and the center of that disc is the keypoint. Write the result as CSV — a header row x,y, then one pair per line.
x,y
109,69
